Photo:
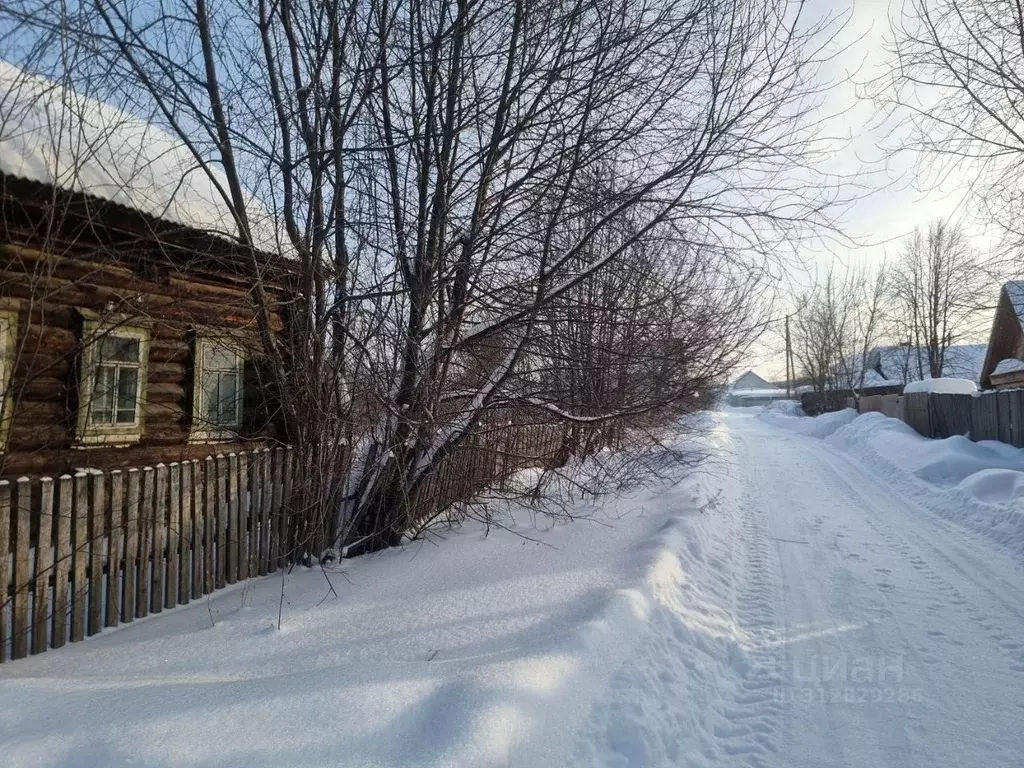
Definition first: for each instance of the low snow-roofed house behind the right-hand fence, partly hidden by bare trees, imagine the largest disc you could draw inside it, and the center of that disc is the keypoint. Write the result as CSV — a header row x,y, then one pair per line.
x,y
889,369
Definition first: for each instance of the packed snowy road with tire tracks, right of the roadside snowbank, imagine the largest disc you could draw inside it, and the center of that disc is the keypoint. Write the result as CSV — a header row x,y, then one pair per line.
x,y
890,636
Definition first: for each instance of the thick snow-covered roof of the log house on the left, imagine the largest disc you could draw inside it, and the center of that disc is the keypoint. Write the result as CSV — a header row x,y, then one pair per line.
x,y
51,135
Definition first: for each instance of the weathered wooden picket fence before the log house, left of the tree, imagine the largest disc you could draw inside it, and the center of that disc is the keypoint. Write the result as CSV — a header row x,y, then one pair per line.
x,y
78,554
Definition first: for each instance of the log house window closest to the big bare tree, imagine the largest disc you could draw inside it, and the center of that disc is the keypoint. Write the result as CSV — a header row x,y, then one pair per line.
x,y
218,391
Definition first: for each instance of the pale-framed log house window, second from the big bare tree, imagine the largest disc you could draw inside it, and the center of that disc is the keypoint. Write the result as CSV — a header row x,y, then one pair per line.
x,y
113,382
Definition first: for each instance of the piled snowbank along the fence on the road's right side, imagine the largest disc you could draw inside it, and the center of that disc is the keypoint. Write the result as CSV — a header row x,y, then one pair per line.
x,y
986,479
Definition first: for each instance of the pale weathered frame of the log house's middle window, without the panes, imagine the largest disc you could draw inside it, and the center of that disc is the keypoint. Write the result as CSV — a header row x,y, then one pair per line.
x,y
95,330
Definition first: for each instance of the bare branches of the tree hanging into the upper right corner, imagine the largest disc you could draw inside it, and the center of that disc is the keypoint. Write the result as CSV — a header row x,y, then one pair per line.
x,y
958,81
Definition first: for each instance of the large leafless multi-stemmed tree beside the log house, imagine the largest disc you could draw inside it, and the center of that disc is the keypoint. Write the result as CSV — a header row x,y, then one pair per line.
x,y
459,190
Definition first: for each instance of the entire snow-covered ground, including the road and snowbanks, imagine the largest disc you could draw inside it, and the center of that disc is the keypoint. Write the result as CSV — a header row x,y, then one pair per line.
x,y
829,593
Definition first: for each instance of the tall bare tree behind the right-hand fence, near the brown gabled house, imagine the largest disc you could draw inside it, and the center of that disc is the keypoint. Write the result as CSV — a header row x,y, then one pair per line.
x,y
936,288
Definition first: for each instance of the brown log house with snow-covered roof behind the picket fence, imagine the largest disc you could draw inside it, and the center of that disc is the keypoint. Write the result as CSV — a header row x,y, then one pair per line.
x,y
127,325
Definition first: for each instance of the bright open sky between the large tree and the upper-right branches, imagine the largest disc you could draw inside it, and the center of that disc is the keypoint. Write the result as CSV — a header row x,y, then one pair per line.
x,y
894,196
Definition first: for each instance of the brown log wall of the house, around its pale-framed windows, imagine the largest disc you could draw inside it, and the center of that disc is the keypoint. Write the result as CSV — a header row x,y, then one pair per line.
x,y
50,290
